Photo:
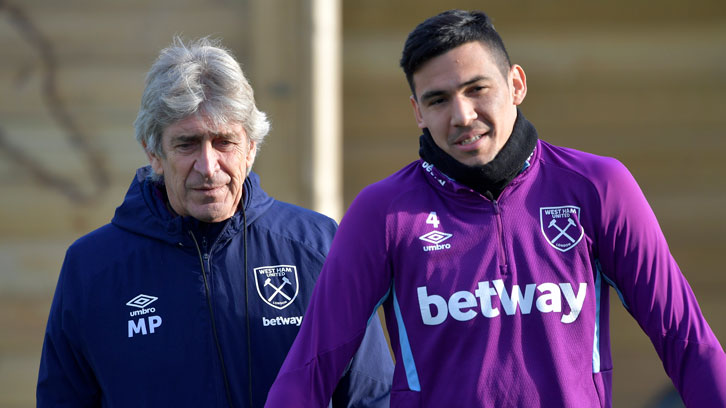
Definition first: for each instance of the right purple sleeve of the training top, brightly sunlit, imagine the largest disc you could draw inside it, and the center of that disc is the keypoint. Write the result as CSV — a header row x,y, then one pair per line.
x,y
636,259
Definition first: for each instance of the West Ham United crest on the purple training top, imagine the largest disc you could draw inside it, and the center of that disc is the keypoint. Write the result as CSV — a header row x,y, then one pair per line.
x,y
561,226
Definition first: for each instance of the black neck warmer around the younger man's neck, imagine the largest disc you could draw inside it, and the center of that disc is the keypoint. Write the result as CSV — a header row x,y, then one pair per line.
x,y
491,178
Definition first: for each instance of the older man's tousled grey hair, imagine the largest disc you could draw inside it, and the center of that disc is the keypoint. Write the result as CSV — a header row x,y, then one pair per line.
x,y
198,78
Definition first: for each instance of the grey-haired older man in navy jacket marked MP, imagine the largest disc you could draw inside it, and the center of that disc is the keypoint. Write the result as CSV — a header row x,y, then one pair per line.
x,y
193,294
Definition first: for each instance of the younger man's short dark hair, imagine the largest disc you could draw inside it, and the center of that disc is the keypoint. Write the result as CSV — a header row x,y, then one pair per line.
x,y
446,31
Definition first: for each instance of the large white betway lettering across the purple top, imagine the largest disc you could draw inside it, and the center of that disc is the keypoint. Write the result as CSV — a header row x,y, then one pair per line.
x,y
465,305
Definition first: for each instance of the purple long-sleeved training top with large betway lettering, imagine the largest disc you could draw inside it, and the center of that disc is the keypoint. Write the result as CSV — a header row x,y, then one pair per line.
x,y
502,303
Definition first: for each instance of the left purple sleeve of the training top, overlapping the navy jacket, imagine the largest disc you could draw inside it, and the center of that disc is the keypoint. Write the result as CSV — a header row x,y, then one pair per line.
x,y
353,282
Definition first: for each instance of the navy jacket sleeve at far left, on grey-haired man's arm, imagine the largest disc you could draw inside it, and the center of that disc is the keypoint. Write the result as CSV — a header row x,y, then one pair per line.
x,y
65,378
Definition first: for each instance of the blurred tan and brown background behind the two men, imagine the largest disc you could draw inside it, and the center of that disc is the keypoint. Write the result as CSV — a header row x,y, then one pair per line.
x,y
640,81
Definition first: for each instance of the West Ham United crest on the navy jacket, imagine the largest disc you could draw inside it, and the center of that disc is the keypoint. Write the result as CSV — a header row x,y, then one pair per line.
x,y
277,285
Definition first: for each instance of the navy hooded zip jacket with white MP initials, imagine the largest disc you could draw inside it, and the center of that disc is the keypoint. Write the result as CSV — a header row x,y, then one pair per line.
x,y
156,310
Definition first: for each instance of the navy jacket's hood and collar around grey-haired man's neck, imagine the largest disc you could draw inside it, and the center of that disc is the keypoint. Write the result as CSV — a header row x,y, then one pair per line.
x,y
145,211
